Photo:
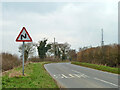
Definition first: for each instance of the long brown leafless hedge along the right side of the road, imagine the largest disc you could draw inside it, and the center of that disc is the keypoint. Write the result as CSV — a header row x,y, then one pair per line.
x,y
107,55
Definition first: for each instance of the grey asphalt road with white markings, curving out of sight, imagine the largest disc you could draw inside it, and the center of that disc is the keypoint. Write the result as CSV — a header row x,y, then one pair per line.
x,y
74,76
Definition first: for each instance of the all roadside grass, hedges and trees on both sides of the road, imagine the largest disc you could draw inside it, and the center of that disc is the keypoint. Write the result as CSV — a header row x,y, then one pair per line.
x,y
103,58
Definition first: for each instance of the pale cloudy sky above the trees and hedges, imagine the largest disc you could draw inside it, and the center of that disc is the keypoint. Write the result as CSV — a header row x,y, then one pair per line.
x,y
77,23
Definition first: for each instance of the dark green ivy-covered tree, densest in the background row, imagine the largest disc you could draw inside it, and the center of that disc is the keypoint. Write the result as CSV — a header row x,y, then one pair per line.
x,y
43,47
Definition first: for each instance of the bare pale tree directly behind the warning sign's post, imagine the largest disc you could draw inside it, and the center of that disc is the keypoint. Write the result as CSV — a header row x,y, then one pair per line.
x,y
29,50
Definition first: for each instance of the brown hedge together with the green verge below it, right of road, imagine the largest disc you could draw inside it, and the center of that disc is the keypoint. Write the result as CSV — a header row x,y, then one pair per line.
x,y
105,58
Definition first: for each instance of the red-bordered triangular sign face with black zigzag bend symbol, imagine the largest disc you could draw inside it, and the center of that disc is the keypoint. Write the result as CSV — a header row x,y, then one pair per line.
x,y
24,36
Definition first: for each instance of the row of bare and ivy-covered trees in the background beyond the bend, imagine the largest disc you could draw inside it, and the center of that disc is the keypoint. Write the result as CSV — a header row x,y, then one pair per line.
x,y
48,51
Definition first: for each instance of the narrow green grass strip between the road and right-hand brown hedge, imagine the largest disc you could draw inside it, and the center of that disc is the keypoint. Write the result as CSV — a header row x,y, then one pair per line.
x,y
98,67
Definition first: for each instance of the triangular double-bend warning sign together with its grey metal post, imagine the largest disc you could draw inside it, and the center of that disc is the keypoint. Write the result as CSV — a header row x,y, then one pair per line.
x,y
23,37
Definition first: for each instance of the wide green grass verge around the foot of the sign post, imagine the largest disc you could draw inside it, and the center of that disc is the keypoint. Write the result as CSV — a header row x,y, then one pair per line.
x,y
36,77
